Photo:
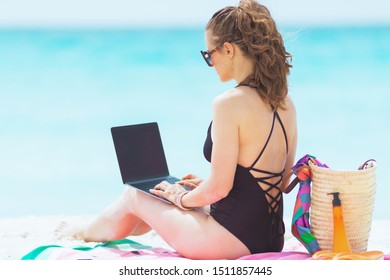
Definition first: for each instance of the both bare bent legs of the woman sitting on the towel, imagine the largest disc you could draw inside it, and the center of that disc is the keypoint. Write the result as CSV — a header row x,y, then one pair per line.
x,y
193,234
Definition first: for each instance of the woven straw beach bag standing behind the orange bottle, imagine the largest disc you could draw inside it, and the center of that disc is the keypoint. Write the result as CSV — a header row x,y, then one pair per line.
x,y
357,195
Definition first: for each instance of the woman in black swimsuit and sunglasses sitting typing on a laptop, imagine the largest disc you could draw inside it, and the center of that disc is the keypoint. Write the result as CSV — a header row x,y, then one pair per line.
x,y
251,145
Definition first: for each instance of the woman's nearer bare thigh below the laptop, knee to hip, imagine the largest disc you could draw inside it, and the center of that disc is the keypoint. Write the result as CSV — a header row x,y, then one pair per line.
x,y
194,234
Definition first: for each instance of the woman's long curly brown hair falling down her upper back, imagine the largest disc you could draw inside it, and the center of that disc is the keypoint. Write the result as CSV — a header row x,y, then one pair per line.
x,y
250,26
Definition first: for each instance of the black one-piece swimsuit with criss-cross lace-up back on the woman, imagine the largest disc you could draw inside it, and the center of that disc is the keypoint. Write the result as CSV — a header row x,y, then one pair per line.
x,y
245,211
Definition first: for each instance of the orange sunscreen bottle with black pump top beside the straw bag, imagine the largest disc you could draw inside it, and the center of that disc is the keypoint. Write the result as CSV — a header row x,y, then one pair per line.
x,y
340,240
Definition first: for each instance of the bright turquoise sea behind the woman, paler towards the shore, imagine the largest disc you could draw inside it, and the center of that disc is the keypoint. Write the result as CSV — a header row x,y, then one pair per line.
x,y
62,90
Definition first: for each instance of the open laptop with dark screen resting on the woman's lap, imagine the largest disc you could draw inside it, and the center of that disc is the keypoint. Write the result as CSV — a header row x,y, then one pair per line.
x,y
141,156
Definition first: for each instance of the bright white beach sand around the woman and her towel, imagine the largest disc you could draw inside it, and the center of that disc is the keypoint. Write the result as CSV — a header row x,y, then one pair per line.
x,y
18,236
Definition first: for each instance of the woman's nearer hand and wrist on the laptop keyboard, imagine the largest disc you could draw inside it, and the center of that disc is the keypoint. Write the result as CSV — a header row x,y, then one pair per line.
x,y
171,192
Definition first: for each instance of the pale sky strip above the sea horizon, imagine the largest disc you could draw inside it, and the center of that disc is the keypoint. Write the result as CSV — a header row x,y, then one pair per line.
x,y
127,13
